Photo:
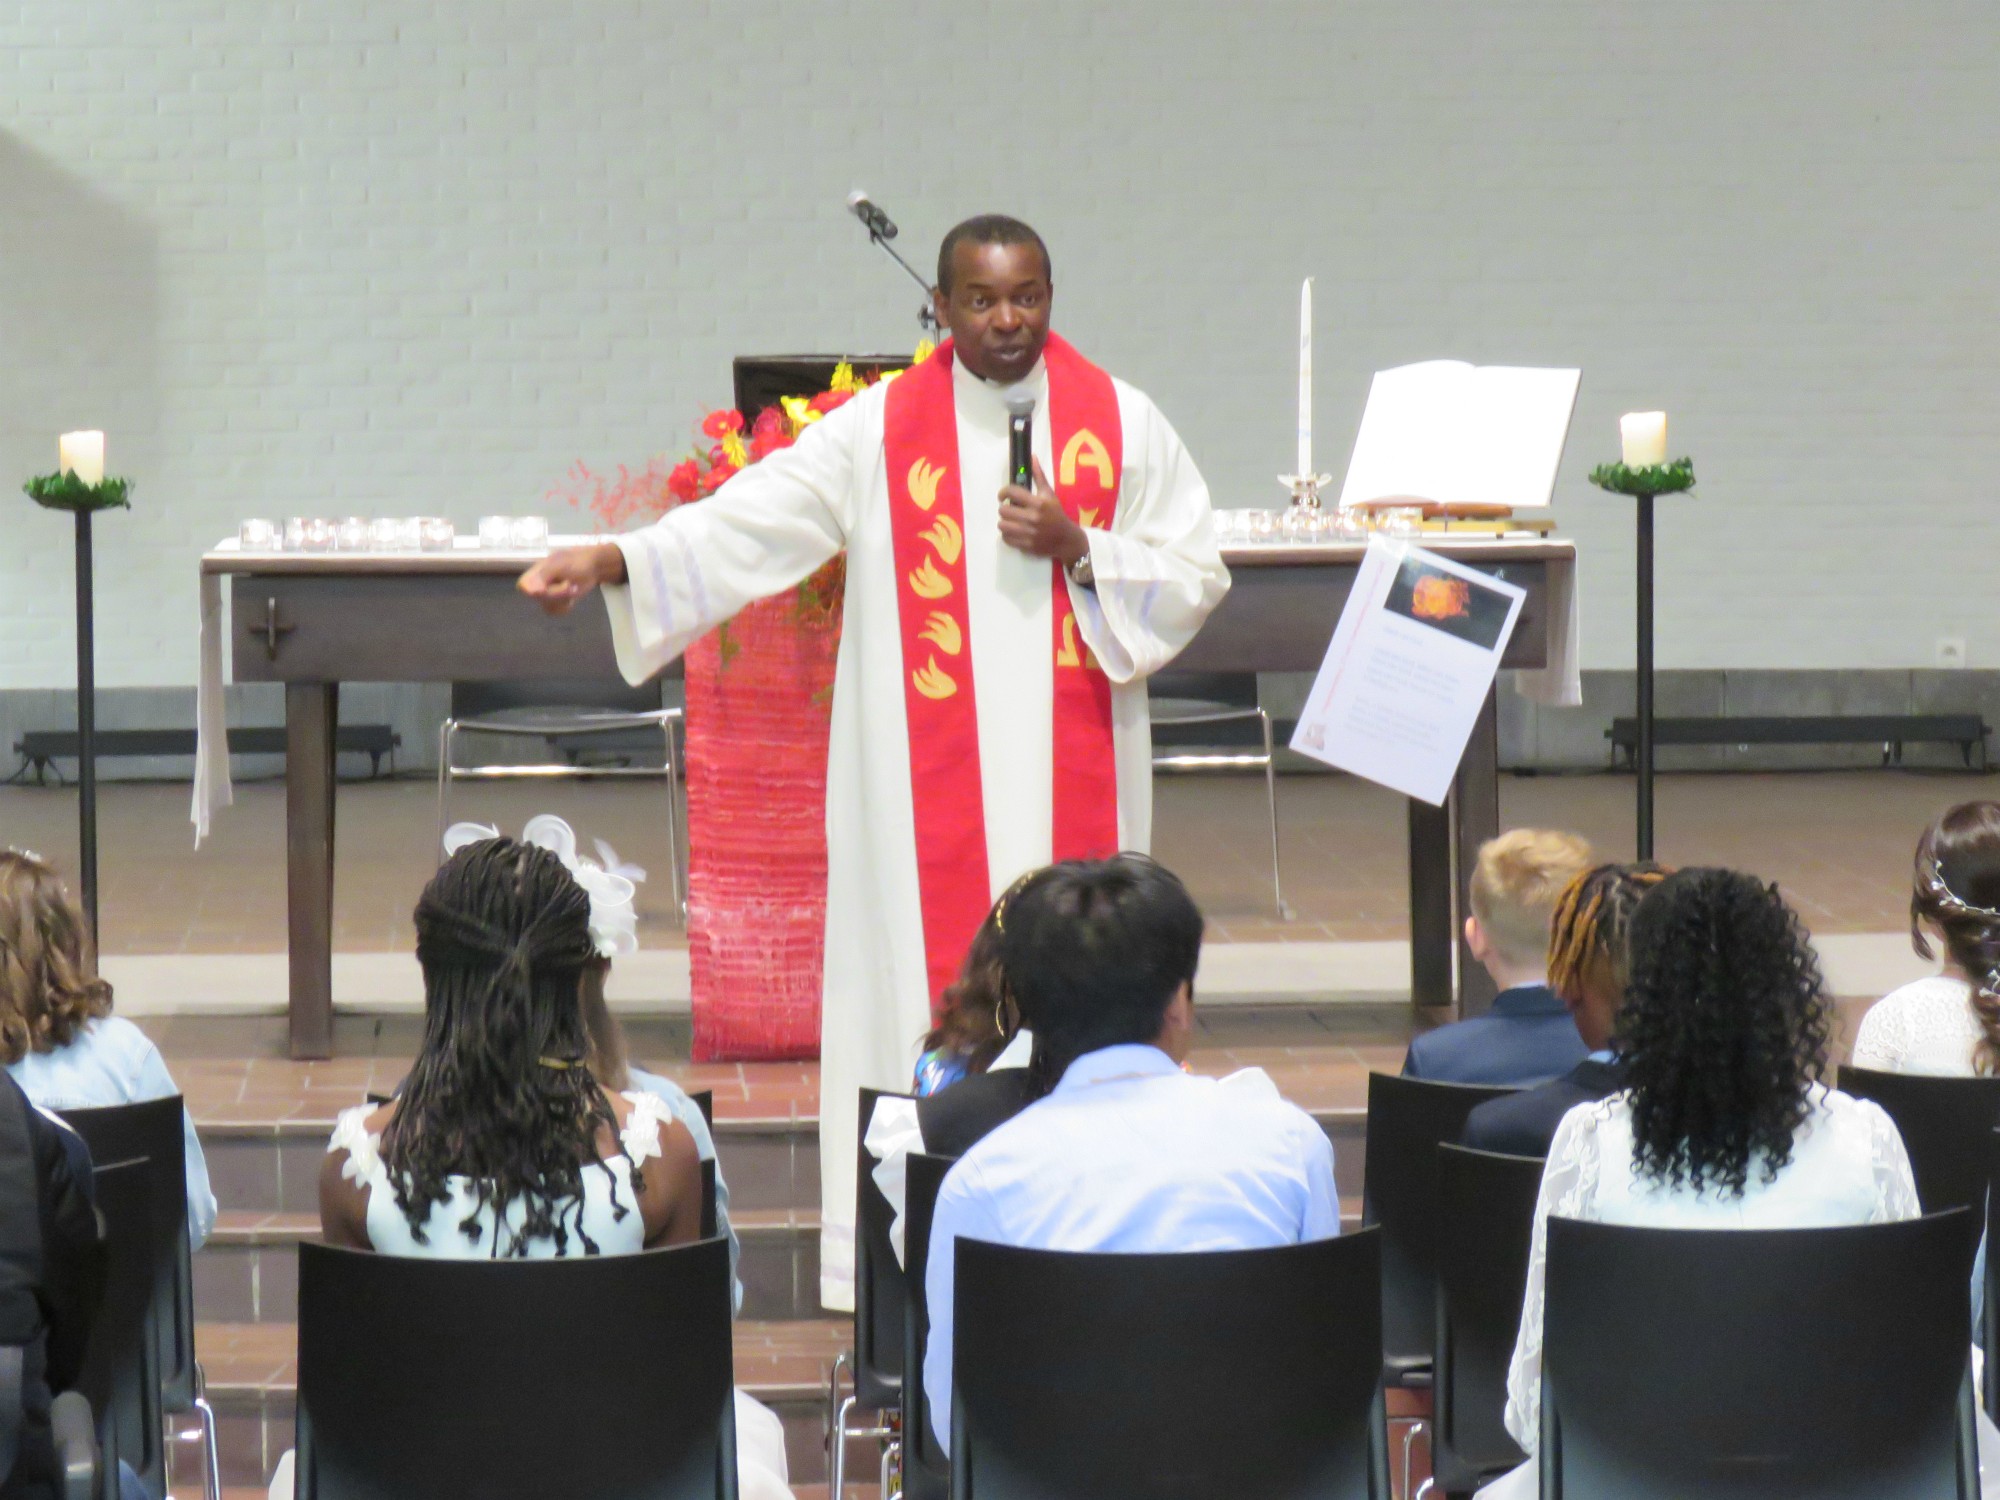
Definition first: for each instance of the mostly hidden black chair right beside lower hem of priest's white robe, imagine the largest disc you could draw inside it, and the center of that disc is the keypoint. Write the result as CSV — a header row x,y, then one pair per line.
x,y
881,1303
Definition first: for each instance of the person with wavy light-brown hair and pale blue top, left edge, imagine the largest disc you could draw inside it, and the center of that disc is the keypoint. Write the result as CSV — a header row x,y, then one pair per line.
x,y
59,1037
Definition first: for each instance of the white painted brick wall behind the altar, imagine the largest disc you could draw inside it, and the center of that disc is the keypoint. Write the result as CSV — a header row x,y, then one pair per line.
x,y
359,257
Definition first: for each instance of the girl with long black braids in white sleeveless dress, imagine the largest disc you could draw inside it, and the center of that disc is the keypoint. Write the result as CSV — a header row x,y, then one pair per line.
x,y
503,1143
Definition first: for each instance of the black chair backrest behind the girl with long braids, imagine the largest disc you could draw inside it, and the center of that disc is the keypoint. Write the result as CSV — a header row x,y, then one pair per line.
x,y
601,1377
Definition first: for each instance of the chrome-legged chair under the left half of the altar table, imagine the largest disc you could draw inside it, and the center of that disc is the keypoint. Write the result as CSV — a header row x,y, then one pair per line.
x,y
571,719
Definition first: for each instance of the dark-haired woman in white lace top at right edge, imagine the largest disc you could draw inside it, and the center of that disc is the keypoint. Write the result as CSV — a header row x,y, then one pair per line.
x,y
1947,1023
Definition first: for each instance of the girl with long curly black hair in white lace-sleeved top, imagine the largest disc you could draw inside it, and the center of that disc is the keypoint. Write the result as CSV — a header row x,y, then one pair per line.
x,y
1725,1121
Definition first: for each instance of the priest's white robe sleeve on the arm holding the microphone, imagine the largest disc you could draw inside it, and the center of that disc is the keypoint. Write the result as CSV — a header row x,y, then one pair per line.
x,y
1157,571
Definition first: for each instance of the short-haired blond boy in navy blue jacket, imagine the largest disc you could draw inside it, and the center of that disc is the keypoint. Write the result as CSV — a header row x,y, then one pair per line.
x,y
1527,1037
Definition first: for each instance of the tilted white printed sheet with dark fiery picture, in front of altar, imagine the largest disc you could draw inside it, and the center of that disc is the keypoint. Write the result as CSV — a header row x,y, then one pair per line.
x,y
1409,669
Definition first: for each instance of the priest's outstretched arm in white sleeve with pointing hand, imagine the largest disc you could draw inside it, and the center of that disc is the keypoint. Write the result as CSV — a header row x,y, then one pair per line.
x,y
699,565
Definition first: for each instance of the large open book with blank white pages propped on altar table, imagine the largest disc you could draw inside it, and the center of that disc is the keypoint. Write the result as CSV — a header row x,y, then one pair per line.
x,y
1463,435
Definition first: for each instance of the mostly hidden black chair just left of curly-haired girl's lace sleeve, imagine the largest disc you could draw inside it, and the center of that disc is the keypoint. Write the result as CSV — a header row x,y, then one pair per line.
x,y
1483,1275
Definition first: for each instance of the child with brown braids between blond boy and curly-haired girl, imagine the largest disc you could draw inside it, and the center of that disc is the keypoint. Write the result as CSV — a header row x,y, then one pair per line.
x,y
1587,971
